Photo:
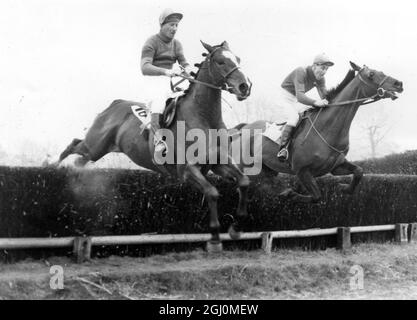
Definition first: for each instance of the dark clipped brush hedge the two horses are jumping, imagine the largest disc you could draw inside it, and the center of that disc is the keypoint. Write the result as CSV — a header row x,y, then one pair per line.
x,y
44,202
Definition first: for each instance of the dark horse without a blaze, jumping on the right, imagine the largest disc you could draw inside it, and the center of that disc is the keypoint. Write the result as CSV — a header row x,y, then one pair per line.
x,y
321,140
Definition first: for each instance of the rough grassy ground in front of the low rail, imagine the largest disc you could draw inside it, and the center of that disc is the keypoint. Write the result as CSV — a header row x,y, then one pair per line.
x,y
390,272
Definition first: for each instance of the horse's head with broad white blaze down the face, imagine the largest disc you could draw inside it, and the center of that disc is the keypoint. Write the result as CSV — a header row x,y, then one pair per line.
x,y
224,69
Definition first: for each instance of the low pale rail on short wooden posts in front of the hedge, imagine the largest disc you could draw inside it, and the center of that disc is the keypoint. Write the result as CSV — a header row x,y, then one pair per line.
x,y
404,233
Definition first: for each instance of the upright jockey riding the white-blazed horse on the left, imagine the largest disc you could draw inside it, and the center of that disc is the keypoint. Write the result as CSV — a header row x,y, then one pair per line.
x,y
159,53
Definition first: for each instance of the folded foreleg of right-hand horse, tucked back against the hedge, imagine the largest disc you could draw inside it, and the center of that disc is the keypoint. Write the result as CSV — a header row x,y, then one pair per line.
x,y
307,180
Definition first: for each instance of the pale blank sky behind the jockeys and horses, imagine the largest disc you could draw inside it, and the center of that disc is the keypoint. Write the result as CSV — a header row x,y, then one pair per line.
x,y
63,62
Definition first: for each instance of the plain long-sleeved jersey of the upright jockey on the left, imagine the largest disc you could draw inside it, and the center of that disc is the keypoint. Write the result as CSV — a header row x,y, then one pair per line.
x,y
162,52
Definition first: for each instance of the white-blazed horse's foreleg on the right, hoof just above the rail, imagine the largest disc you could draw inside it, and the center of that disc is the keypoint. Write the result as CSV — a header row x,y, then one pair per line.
x,y
230,171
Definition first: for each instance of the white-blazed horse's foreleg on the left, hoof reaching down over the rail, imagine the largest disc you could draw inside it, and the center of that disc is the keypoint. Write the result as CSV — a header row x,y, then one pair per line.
x,y
193,175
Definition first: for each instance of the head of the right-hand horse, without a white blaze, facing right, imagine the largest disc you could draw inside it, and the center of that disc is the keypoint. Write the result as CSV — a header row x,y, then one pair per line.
x,y
385,86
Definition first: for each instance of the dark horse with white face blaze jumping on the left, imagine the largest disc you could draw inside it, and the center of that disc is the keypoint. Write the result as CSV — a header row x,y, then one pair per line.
x,y
116,129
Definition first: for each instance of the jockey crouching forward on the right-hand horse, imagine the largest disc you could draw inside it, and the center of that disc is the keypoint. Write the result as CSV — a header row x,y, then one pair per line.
x,y
293,92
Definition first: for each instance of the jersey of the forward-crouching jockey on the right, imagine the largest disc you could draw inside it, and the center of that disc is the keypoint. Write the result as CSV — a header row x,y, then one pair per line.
x,y
302,80
